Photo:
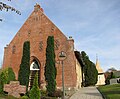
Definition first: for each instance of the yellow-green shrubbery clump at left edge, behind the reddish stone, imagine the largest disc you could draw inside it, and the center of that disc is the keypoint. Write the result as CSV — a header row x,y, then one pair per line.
x,y
6,75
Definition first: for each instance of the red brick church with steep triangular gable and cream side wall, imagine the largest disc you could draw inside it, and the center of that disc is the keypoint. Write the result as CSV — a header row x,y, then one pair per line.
x,y
36,29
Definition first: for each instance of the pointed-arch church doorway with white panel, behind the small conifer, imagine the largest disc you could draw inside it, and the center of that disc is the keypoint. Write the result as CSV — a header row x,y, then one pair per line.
x,y
34,68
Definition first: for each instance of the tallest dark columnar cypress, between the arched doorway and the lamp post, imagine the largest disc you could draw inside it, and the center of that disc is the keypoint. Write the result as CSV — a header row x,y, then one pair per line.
x,y
50,69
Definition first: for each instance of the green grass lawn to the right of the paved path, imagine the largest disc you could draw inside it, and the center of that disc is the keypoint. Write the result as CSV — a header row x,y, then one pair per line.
x,y
110,91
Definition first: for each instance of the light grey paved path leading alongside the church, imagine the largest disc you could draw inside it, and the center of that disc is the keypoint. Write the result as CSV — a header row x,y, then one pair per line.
x,y
87,93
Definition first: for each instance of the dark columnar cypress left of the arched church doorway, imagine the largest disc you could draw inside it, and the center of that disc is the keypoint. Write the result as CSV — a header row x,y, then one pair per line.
x,y
24,71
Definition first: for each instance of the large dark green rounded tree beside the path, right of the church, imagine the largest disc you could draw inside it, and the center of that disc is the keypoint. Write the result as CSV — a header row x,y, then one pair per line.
x,y
90,71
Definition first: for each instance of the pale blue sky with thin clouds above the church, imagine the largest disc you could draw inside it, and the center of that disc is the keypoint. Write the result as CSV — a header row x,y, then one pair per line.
x,y
94,25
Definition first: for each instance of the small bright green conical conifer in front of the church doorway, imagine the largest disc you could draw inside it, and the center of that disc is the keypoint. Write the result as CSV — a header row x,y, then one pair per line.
x,y
35,91
